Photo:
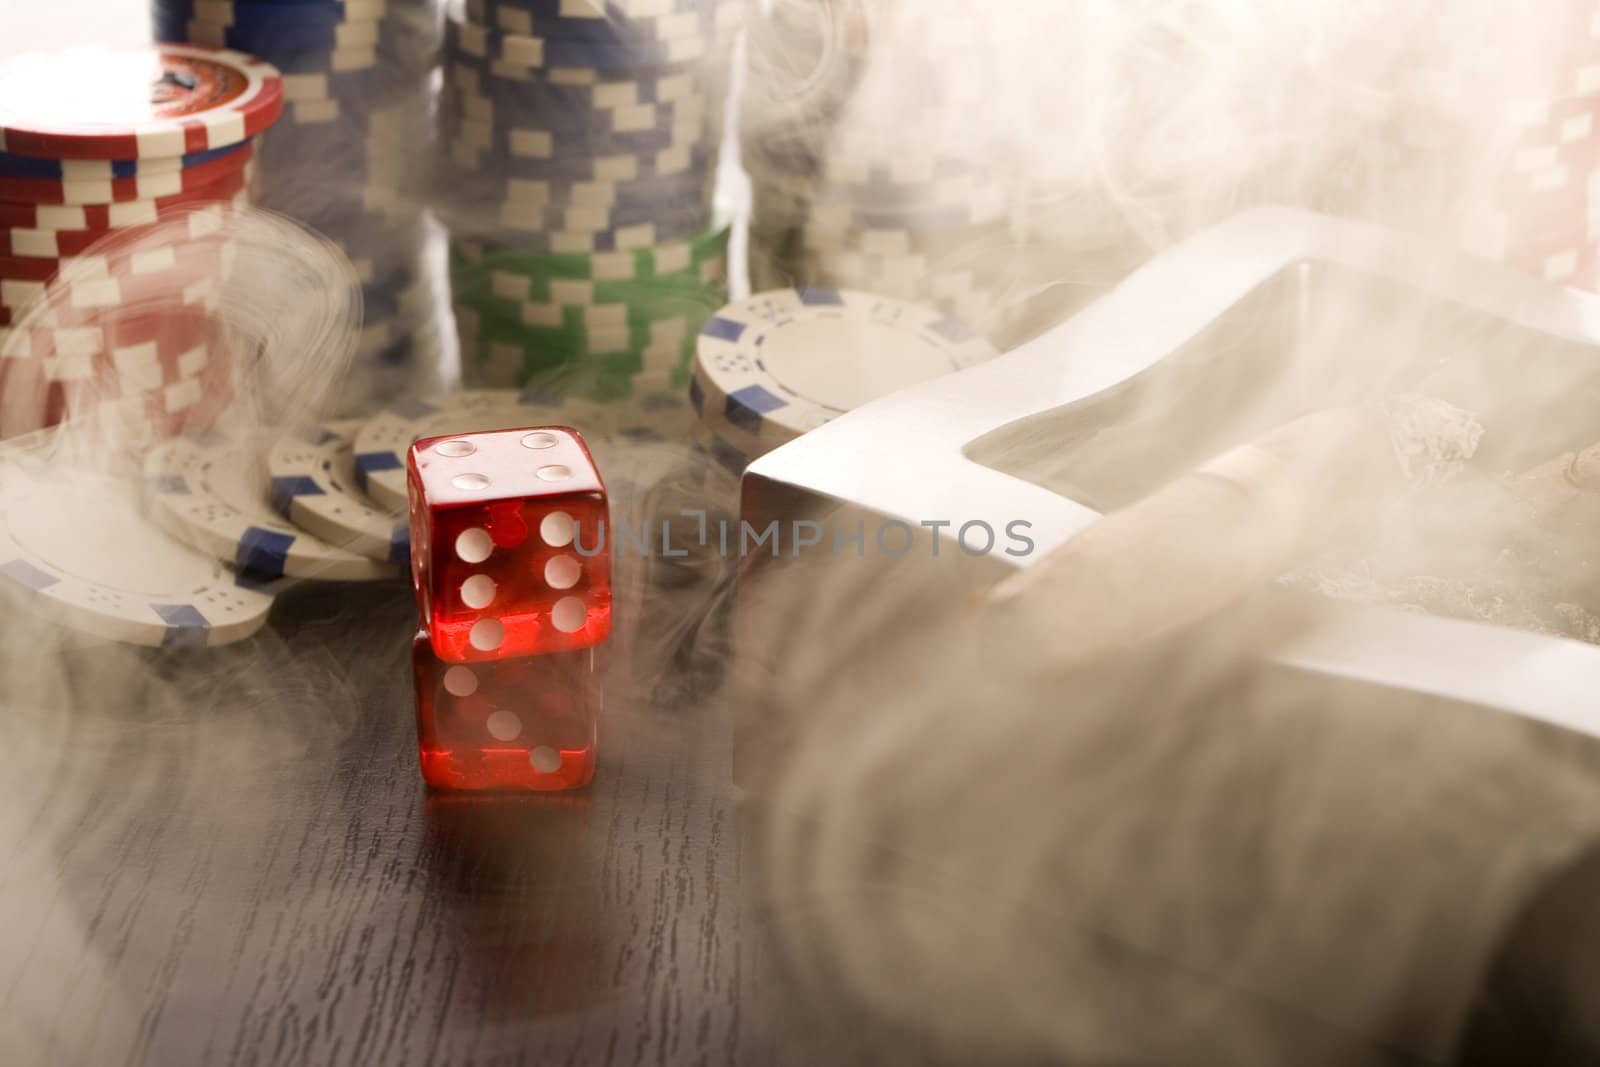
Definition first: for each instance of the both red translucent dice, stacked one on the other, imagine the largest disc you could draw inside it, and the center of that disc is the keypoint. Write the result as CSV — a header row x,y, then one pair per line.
x,y
514,588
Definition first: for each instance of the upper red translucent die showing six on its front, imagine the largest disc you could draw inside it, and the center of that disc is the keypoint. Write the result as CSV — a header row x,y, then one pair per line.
x,y
508,543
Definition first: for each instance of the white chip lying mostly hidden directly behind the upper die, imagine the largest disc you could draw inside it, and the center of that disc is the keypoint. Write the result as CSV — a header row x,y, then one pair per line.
x,y
383,441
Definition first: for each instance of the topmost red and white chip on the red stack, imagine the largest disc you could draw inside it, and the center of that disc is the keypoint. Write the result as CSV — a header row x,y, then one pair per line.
x,y
95,103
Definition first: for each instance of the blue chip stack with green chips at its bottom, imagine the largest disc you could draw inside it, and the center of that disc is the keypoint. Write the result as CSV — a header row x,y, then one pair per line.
x,y
582,145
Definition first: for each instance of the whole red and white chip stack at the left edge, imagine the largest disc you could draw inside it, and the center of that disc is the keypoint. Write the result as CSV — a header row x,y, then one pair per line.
x,y
92,316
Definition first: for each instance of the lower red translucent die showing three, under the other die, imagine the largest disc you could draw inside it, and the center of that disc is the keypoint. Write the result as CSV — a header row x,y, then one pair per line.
x,y
522,724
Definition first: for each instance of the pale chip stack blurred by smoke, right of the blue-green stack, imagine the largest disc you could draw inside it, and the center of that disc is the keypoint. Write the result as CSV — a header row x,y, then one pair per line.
x,y
879,183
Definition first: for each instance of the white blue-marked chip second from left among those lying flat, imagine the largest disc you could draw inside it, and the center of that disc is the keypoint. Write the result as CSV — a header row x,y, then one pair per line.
x,y
210,492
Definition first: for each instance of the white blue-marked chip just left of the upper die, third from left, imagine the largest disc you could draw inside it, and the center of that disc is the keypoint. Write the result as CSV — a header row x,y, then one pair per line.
x,y
313,484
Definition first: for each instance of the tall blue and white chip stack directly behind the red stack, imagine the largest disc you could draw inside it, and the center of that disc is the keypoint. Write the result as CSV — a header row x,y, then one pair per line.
x,y
348,156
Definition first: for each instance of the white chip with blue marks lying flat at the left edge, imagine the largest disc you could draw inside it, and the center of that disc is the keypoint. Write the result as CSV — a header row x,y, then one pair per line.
x,y
76,549
